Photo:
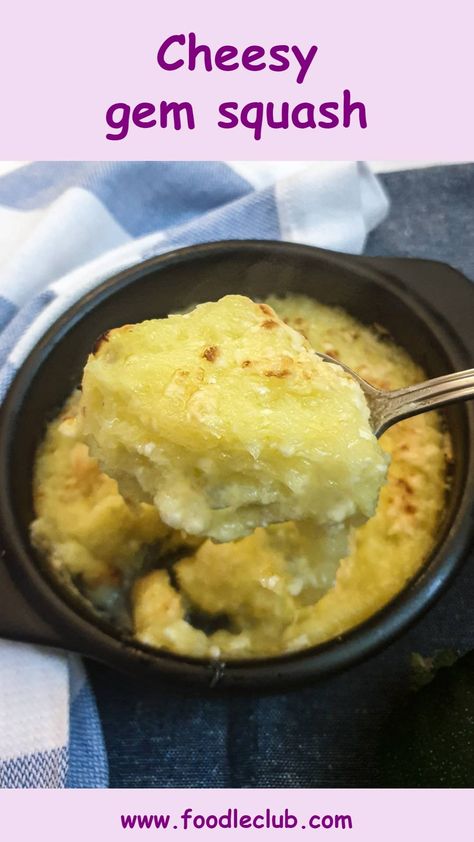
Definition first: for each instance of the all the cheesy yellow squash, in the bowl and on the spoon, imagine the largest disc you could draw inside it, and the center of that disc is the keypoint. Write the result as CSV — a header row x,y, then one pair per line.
x,y
172,440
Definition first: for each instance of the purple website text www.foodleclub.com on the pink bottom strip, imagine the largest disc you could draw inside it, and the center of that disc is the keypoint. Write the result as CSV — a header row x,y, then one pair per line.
x,y
234,819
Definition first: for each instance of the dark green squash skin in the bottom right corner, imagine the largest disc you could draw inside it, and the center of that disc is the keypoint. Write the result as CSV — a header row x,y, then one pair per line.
x,y
429,741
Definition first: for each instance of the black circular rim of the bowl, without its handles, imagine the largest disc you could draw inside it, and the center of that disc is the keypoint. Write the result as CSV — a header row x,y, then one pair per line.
x,y
333,655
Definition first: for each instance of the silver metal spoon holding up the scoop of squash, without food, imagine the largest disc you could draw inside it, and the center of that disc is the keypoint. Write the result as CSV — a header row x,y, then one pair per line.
x,y
386,408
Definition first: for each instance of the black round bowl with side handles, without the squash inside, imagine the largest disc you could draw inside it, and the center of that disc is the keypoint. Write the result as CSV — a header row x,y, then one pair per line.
x,y
427,307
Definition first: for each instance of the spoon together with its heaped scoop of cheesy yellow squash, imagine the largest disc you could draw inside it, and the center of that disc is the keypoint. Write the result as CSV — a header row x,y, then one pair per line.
x,y
226,419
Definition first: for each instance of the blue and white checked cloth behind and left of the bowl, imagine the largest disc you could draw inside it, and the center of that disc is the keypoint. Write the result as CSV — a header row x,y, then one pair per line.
x,y
64,227
